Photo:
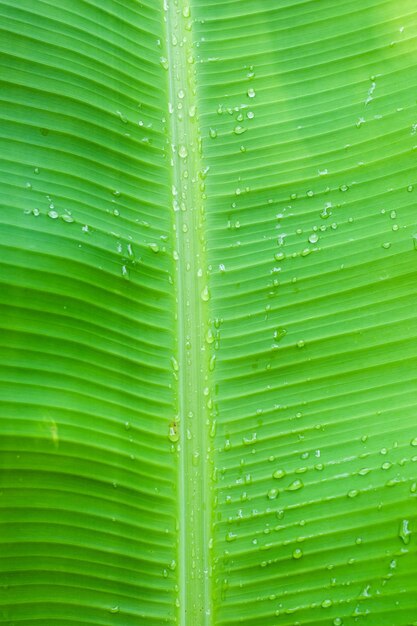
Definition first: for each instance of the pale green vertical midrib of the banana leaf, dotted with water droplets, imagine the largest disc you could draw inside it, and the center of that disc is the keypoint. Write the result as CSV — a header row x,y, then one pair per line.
x,y
193,362
